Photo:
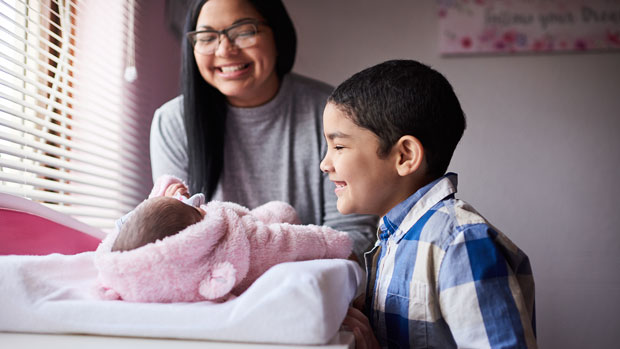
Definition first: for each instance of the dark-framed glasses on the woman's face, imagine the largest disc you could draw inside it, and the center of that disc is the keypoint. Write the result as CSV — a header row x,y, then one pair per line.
x,y
241,35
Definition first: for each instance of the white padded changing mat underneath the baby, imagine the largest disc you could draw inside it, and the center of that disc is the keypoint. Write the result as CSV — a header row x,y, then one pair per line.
x,y
292,303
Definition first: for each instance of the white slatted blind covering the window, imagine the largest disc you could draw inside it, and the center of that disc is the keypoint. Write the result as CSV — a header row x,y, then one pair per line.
x,y
68,132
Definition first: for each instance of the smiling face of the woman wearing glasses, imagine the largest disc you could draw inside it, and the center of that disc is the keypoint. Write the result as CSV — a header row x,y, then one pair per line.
x,y
245,76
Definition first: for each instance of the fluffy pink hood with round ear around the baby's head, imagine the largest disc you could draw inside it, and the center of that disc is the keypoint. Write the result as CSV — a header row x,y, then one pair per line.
x,y
205,261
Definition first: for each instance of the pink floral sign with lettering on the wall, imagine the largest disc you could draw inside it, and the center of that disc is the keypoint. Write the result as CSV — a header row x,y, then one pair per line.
x,y
519,26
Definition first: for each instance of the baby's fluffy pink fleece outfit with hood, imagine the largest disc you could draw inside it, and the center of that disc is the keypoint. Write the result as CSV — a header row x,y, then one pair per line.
x,y
216,258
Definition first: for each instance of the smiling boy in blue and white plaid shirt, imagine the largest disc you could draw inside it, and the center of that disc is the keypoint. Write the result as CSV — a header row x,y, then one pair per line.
x,y
439,275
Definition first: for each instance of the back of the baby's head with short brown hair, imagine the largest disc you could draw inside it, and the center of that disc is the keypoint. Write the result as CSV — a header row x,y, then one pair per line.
x,y
153,220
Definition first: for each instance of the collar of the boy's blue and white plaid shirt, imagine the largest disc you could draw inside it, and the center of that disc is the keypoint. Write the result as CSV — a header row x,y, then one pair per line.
x,y
404,215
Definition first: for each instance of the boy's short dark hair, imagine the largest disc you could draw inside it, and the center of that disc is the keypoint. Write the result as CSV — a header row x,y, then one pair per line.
x,y
405,97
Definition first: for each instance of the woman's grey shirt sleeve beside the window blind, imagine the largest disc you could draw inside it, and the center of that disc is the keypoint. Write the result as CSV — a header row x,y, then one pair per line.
x,y
168,142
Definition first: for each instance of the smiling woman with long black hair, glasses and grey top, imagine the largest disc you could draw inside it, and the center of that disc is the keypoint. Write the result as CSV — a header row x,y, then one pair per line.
x,y
245,128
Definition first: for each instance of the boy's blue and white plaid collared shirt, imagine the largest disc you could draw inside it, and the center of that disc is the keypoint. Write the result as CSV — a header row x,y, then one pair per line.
x,y
440,276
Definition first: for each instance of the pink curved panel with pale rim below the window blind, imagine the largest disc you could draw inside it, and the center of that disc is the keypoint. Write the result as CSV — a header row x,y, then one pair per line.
x,y
30,228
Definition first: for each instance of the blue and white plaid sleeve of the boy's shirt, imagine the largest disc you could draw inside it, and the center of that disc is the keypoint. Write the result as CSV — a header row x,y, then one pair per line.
x,y
479,294
